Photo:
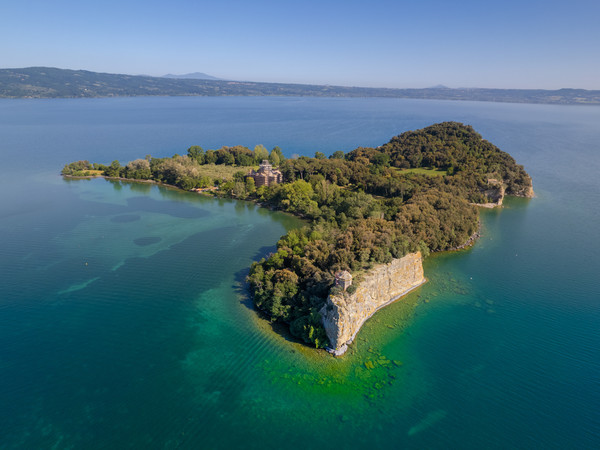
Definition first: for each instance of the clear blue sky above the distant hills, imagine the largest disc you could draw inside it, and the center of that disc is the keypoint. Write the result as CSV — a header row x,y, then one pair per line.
x,y
373,43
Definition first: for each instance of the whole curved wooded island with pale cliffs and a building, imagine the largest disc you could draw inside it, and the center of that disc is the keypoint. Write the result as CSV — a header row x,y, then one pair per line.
x,y
372,215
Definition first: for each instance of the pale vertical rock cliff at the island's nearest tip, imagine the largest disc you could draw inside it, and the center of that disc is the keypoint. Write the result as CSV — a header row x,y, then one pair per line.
x,y
345,313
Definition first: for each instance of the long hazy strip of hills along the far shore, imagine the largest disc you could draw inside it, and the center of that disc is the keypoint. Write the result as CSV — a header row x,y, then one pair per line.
x,y
47,82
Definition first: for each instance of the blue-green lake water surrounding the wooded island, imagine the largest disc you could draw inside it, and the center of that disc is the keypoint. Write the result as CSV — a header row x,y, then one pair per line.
x,y
124,322
